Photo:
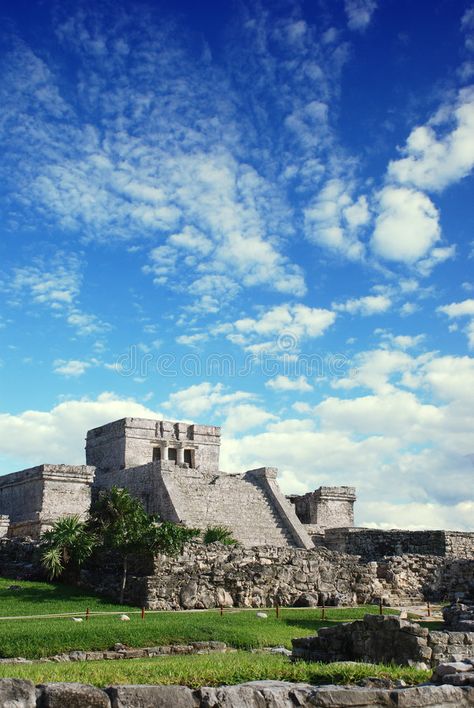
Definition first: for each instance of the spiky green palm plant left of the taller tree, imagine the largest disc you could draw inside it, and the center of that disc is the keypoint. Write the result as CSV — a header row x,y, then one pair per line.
x,y
67,545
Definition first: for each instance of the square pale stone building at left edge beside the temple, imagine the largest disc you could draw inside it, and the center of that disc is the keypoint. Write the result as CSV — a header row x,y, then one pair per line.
x,y
35,497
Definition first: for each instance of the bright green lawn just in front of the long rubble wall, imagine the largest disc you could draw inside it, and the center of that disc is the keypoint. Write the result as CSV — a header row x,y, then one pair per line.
x,y
35,638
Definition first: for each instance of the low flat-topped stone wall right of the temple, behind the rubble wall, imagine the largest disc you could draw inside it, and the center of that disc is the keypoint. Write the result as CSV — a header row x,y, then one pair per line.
x,y
374,544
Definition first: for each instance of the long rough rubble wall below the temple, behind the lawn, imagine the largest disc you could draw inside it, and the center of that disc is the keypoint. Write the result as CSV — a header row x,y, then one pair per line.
x,y
207,576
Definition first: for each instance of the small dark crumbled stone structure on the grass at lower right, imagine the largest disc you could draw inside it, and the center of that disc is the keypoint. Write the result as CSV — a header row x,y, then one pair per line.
x,y
384,639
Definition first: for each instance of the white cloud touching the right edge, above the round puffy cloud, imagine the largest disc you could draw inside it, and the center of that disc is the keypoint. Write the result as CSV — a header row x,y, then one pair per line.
x,y
433,161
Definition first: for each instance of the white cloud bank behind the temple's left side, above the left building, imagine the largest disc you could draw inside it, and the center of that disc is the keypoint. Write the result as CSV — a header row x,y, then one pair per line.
x,y
57,436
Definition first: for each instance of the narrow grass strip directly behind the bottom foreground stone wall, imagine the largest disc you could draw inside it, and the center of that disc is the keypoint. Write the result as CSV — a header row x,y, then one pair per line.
x,y
207,670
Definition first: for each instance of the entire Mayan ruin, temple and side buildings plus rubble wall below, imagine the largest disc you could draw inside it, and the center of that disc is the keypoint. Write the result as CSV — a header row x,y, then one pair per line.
x,y
301,550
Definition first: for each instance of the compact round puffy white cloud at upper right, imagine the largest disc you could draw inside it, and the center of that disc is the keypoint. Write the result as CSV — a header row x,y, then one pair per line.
x,y
407,225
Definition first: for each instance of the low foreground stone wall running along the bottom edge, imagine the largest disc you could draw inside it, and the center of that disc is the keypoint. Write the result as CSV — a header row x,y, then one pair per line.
x,y
256,694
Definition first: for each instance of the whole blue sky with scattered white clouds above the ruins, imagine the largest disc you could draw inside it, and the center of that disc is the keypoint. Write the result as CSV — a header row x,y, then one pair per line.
x,y
256,215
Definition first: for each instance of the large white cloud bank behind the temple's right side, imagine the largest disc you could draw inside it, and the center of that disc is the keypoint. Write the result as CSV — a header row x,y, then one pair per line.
x,y
391,444
